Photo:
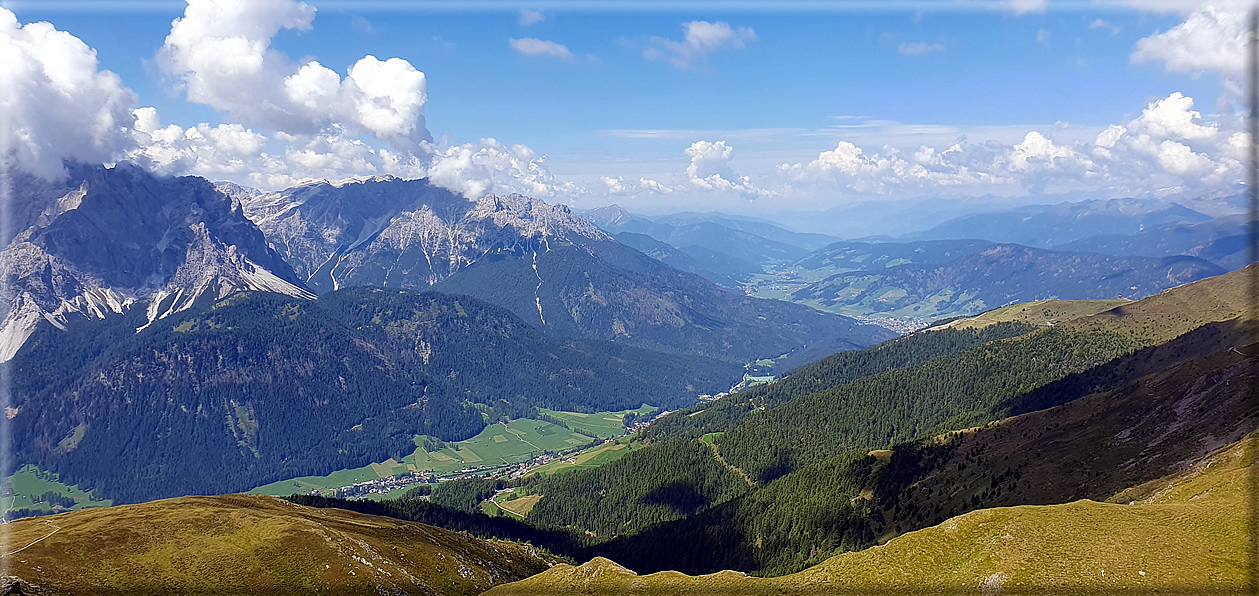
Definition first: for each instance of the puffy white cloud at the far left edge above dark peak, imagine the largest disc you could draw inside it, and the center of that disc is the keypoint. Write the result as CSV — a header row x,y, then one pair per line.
x,y
56,104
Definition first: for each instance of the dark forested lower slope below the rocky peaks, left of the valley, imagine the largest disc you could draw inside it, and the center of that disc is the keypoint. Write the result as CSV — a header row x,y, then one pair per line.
x,y
261,387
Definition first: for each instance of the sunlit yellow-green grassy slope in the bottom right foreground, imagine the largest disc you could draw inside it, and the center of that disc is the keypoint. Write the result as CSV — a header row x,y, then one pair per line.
x,y
1188,537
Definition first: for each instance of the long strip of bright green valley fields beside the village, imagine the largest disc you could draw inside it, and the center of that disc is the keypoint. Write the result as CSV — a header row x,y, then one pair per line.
x,y
495,447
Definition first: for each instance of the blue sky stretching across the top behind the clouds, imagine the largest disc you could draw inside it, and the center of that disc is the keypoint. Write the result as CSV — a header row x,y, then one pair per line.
x,y
777,91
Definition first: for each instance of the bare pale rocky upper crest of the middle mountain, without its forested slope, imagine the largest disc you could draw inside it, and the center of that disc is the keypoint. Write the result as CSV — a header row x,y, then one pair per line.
x,y
339,234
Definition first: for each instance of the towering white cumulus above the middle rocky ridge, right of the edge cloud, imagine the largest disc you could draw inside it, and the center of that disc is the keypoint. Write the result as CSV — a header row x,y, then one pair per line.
x,y
320,124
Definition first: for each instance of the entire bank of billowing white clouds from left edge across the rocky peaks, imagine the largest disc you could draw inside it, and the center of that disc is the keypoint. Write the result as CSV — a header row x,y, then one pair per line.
x,y
290,123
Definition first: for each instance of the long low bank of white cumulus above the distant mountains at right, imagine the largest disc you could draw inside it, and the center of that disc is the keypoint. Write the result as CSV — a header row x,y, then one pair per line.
x,y
1169,148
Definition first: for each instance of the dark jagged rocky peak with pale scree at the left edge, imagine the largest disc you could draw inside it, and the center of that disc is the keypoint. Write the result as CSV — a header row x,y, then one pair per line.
x,y
111,239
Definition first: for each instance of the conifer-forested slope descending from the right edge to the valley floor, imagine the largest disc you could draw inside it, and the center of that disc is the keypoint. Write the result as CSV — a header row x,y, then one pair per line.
x,y
809,450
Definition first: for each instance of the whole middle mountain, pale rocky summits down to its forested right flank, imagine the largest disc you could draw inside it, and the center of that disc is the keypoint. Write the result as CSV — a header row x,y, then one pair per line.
x,y
543,263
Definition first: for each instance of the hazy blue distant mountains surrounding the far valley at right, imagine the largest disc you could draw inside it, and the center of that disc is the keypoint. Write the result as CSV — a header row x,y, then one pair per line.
x,y
828,278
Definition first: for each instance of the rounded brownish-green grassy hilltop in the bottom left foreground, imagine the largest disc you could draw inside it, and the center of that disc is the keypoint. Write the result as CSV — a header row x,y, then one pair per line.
x,y
255,545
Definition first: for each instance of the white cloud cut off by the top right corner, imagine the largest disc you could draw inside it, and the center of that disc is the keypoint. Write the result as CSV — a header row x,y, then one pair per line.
x,y
1211,40
